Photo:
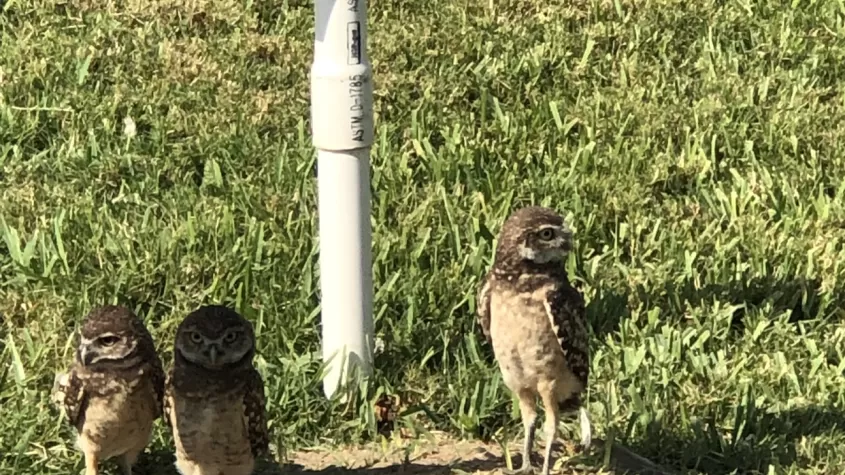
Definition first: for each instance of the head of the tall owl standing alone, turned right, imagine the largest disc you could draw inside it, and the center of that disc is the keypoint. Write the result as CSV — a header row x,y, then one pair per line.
x,y
536,235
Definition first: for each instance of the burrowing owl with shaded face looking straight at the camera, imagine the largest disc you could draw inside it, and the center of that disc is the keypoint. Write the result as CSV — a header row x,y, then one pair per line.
x,y
214,399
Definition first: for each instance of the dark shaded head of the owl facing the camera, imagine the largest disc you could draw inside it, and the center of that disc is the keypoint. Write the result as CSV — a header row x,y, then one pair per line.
x,y
215,337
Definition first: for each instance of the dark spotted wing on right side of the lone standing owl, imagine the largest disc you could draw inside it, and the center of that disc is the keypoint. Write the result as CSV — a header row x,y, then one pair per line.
x,y
566,311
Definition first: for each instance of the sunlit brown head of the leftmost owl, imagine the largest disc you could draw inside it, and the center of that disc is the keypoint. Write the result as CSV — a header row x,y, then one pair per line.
x,y
112,336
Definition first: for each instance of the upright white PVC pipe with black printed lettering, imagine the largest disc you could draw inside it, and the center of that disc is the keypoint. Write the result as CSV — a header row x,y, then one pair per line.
x,y
342,128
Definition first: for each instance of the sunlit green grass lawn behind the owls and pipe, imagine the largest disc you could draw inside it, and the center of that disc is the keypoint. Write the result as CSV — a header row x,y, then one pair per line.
x,y
695,148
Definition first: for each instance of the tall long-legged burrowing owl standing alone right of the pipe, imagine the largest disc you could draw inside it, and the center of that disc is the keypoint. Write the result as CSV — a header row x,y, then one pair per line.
x,y
535,321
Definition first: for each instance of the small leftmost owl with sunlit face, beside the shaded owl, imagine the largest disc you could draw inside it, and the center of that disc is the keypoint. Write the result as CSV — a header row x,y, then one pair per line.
x,y
113,392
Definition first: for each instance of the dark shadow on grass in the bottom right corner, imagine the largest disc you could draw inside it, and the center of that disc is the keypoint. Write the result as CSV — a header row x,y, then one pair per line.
x,y
765,439
